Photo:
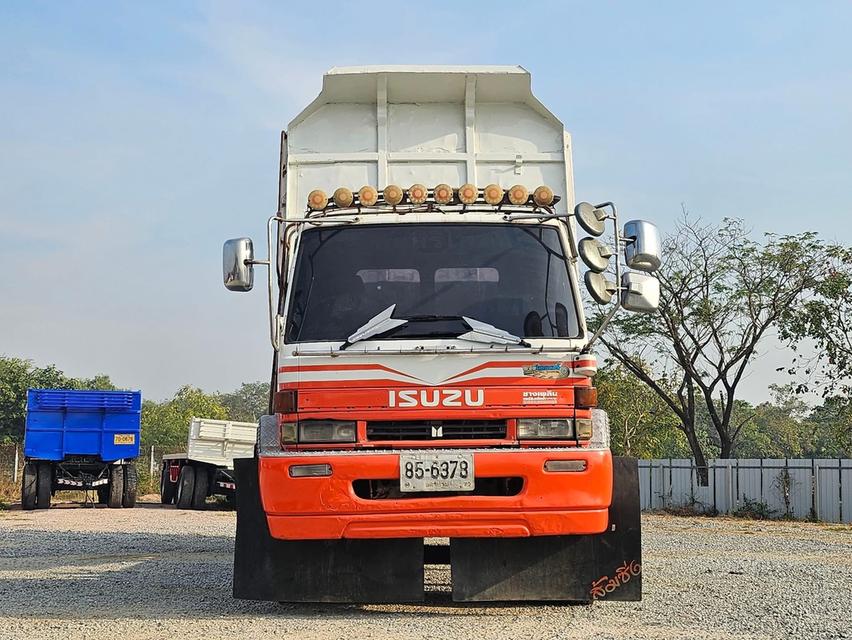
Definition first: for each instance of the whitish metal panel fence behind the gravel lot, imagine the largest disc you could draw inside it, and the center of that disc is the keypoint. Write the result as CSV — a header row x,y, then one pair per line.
x,y
819,489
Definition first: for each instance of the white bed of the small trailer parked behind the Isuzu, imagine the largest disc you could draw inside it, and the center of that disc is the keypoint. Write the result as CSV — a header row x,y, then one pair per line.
x,y
218,442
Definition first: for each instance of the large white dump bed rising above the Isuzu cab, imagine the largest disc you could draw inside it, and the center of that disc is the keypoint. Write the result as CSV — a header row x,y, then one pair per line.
x,y
424,124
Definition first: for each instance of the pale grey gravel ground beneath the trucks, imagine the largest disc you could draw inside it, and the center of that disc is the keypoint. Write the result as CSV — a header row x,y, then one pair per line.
x,y
154,572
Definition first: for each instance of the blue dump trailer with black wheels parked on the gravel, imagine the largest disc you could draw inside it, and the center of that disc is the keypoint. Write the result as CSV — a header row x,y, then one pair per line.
x,y
81,441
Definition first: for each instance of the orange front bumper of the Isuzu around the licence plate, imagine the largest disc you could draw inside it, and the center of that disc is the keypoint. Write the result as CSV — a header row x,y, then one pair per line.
x,y
561,503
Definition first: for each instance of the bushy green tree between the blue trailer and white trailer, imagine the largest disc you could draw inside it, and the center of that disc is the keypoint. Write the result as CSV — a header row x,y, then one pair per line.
x,y
166,424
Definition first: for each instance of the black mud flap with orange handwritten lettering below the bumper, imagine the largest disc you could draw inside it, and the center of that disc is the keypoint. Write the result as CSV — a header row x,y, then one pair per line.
x,y
607,566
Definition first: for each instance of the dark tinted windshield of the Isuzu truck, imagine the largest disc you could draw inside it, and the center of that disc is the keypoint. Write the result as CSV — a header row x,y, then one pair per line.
x,y
514,277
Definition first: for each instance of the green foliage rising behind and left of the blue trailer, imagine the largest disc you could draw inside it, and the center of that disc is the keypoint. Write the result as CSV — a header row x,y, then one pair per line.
x,y
18,375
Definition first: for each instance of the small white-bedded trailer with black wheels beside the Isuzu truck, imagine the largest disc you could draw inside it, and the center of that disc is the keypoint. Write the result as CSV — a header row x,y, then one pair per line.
x,y
206,468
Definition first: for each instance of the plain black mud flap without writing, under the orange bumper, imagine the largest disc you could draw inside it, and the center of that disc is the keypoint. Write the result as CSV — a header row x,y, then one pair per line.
x,y
348,571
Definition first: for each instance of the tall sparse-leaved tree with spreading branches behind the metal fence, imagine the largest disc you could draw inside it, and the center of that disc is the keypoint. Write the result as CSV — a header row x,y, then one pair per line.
x,y
721,293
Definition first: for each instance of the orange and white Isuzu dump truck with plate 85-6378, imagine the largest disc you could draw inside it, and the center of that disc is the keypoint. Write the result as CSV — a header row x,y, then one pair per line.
x,y
432,367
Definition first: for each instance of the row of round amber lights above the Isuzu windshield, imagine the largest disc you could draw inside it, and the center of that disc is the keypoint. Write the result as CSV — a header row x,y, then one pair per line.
x,y
442,194
